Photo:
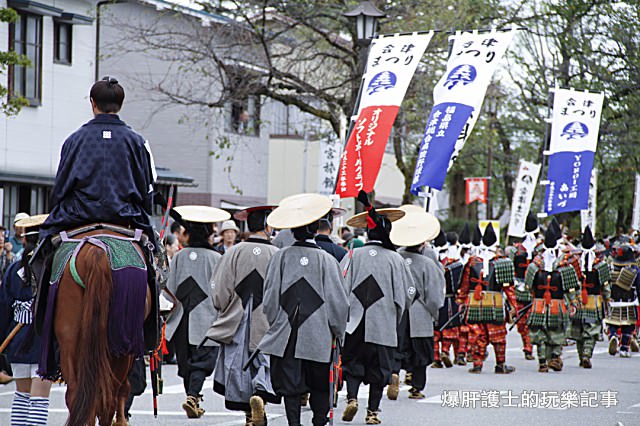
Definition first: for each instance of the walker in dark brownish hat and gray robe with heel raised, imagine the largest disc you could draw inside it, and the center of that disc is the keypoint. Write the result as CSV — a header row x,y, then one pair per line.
x,y
237,294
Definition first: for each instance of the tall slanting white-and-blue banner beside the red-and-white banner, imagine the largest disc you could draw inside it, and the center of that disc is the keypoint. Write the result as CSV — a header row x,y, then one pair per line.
x,y
474,58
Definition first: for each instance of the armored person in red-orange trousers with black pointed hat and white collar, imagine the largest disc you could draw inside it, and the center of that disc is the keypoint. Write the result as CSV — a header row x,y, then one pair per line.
x,y
485,281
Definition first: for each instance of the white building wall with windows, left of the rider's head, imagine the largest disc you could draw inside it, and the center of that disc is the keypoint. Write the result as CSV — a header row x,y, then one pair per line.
x,y
30,142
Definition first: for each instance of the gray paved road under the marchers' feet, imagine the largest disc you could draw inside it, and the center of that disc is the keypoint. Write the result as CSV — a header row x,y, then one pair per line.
x,y
535,398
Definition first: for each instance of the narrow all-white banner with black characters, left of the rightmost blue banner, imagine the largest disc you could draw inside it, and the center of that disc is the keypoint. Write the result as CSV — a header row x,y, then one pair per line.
x,y
522,197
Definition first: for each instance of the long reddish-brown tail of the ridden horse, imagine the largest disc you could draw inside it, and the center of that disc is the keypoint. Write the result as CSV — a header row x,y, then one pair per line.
x,y
95,378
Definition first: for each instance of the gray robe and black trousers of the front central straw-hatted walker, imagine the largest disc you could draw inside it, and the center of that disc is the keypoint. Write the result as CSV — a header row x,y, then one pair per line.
x,y
305,303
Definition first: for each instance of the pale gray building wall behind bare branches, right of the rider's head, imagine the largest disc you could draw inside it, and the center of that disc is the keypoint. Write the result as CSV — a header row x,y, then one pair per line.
x,y
182,138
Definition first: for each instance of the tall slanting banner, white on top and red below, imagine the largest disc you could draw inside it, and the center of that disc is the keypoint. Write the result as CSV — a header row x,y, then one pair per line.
x,y
391,64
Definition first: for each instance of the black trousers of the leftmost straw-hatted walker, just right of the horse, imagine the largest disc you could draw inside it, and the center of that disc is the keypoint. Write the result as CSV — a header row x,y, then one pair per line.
x,y
195,363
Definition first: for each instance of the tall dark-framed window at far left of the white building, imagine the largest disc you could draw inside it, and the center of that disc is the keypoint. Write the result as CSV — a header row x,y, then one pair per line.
x,y
25,38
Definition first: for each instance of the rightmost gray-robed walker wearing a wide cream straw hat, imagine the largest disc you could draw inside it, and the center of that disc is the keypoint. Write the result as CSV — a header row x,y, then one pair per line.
x,y
411,232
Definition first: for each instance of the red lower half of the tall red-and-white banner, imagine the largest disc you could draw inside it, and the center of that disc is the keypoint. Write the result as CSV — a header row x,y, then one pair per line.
x,y
362,157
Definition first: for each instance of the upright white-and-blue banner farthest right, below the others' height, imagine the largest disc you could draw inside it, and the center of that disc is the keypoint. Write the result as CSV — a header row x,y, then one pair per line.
x,y
574,137
